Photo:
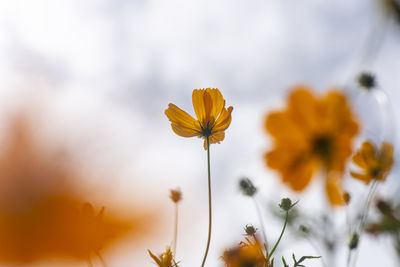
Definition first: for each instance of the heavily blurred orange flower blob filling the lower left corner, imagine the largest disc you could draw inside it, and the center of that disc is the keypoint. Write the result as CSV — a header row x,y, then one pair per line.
x,y
44,213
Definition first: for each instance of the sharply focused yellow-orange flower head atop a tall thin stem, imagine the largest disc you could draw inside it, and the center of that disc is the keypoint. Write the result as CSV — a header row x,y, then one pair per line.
x,y
212,117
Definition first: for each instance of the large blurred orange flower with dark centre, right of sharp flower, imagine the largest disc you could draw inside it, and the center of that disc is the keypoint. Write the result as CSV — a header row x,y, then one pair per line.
x,y
312,132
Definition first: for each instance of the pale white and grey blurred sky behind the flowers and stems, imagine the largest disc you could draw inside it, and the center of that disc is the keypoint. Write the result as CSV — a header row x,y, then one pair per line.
x,y
94,77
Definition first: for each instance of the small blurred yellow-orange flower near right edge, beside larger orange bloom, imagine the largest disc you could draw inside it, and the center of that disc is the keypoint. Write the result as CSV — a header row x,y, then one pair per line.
x,y
376,163
